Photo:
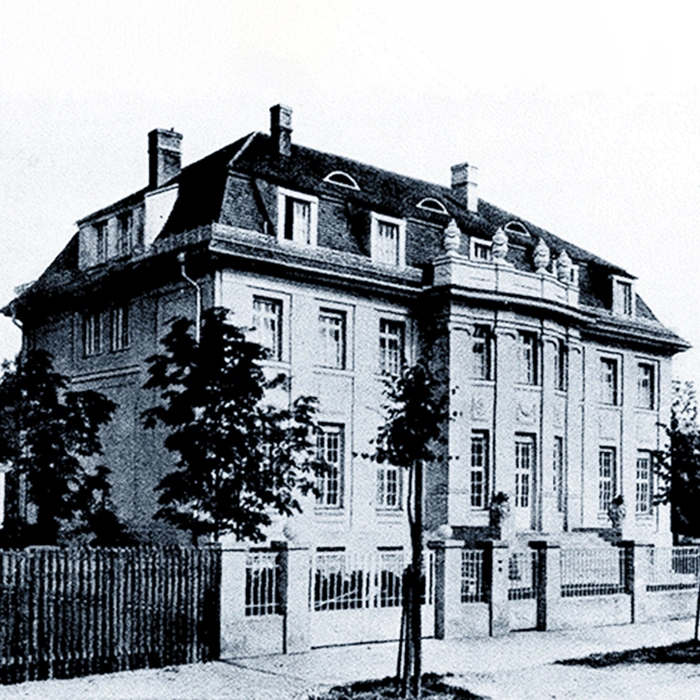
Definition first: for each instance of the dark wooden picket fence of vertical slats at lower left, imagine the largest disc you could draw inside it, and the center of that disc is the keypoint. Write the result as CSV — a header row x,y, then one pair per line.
x,y
72,612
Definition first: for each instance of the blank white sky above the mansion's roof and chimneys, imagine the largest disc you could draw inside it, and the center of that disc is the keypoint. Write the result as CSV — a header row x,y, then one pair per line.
x,y
583,118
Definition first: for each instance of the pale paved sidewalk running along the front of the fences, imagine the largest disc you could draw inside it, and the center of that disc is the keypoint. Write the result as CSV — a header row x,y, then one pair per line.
x,y
503,667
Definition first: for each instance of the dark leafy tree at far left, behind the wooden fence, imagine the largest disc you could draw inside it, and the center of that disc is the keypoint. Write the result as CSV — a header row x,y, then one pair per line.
x,y
46,434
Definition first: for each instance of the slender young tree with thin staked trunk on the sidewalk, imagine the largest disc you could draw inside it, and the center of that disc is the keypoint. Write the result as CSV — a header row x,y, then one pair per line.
x,y
414,415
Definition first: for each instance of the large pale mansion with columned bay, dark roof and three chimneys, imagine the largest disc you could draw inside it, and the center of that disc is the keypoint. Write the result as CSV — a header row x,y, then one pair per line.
x,y
559,375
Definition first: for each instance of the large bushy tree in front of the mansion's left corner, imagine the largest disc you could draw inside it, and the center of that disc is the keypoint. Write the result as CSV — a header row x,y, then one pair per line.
x,y
237,459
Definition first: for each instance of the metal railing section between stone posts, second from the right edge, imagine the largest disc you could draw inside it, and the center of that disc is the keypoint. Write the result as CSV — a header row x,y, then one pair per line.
x,y
592,572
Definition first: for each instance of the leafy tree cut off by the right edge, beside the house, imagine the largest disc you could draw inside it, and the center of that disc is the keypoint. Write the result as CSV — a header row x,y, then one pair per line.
x,y
678,465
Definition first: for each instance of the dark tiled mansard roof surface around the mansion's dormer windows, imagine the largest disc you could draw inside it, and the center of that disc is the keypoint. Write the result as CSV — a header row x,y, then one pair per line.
x,y
247,172
